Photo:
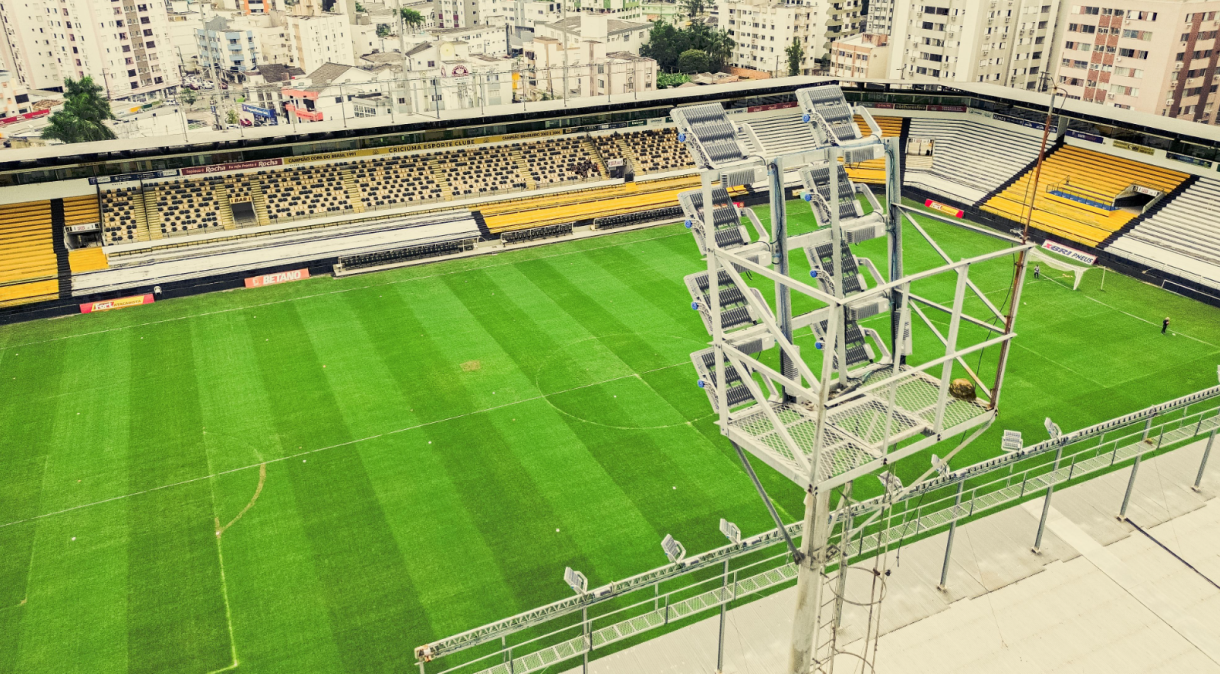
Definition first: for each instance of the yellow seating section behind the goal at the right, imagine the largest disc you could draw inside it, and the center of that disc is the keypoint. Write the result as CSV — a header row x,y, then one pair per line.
x,y
1088,173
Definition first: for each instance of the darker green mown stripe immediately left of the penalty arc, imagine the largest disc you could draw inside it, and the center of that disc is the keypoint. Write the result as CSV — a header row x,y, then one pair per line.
x,y
175,607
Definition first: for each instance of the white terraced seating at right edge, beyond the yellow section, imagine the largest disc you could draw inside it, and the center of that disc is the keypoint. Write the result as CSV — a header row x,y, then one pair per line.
x,y
1185,225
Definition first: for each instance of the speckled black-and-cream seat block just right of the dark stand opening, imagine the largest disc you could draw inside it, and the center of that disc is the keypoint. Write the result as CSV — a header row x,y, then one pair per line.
x,y
306,192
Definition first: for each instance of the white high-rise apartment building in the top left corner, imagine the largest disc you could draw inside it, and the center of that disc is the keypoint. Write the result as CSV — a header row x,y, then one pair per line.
x,y
125,46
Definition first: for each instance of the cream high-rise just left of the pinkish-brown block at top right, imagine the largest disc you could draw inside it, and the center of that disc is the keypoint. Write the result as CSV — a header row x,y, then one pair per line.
x,y
1002,42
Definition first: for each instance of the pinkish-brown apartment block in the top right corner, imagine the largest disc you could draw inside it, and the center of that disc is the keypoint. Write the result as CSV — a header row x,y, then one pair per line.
x,y
1157,58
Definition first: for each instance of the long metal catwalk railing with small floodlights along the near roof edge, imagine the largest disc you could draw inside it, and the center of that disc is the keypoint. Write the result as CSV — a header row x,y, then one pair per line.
x,y
624,612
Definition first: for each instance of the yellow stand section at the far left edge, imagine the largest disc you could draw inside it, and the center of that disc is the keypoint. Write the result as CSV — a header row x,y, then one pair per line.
x,y
27,256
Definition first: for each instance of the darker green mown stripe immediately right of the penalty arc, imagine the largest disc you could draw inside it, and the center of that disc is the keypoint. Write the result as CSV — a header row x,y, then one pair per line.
x,y
370,599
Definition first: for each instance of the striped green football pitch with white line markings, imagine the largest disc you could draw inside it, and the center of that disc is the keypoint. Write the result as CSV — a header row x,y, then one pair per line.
x,y
323,476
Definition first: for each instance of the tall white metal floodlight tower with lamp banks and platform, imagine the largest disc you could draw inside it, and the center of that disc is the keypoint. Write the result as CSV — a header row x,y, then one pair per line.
x,y
867,408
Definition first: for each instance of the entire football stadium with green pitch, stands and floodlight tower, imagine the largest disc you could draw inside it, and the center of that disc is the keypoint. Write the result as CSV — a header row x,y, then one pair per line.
x,y
459,395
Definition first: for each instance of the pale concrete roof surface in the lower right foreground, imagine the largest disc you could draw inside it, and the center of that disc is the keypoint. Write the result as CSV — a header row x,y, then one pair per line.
x,y
1102,598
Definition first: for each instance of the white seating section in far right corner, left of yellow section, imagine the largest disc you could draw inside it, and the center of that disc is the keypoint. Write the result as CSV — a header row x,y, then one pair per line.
x,y
969,159
